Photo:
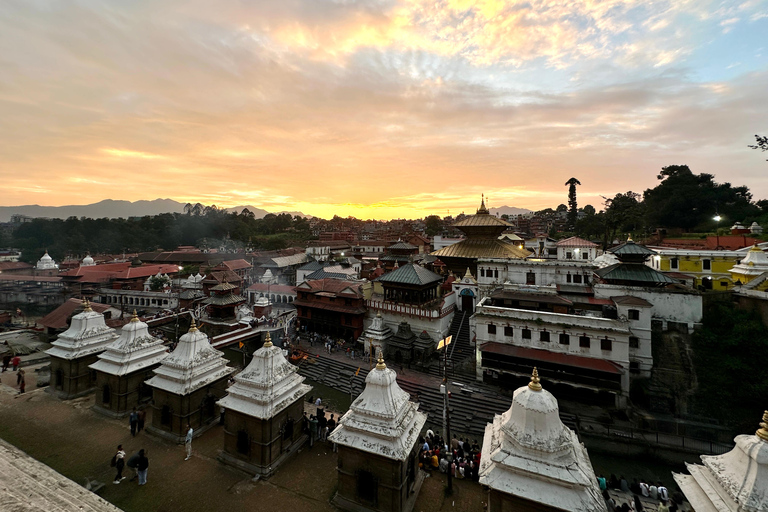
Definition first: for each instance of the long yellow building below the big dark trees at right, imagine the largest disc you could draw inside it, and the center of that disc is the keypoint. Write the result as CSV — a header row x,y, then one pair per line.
x,y
710,269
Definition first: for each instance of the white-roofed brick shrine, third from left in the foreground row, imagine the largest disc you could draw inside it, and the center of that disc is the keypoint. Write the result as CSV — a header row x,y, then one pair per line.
x,y
186,386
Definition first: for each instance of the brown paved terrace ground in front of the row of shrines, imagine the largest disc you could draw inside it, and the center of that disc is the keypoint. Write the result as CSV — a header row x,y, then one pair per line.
x,y
77,442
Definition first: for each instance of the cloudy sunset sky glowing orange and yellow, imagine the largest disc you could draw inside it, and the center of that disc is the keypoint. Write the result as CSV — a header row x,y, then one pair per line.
x,y
376,109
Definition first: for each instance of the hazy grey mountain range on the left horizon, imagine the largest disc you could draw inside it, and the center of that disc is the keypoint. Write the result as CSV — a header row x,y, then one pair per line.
x,y
113,209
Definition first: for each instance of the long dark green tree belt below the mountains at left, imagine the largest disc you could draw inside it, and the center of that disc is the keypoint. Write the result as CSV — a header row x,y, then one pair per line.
x,y
204,226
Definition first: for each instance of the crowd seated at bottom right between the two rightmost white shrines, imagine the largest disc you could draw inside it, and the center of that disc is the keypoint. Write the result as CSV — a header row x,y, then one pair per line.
x,y
640,492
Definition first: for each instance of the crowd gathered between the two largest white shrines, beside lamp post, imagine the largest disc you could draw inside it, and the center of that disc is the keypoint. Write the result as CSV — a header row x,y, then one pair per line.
x,y
464,461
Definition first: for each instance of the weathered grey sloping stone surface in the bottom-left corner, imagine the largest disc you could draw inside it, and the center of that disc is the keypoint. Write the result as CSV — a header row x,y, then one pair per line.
x,y
29,485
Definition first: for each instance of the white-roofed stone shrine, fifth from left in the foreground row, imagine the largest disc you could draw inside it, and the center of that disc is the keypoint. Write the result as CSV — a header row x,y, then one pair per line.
x,y
378,447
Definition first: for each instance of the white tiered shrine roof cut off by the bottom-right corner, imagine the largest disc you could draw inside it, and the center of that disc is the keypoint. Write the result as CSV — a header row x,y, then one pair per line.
x,y
736,481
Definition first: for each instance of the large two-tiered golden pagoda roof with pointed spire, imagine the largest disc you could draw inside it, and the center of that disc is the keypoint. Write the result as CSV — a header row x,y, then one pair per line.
x,y
482,232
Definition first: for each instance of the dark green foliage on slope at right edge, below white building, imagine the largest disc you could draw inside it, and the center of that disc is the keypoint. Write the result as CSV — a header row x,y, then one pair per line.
x,y
729,357
